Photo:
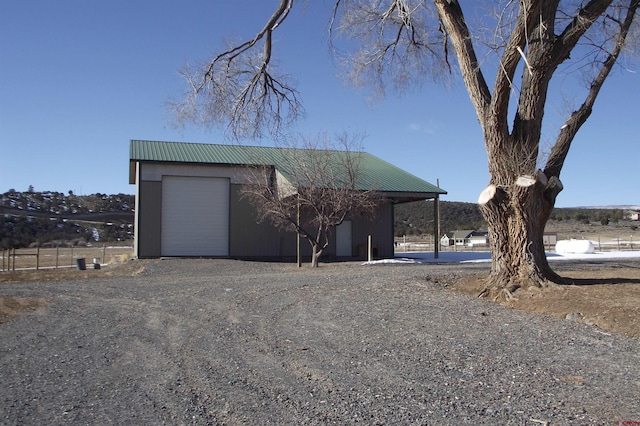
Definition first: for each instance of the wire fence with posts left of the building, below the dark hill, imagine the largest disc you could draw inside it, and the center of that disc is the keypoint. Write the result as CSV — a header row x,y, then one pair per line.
x,y
63,257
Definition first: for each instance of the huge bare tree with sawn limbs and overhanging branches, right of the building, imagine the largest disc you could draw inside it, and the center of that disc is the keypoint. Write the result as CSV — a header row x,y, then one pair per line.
x,y
404,42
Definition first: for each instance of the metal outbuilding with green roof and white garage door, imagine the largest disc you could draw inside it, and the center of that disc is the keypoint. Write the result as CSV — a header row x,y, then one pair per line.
x,y
188,202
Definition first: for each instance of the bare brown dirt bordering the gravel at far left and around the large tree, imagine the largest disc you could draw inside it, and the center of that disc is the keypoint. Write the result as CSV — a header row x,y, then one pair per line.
x,y
608,298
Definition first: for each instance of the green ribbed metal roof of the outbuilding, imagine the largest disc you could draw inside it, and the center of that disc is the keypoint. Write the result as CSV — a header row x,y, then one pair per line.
x,y
374,173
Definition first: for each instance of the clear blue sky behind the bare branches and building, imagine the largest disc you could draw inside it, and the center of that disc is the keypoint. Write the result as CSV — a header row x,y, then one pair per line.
x,y
80,78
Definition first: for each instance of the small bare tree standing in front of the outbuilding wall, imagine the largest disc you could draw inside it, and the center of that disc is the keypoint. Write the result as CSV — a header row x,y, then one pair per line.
x,y
310,189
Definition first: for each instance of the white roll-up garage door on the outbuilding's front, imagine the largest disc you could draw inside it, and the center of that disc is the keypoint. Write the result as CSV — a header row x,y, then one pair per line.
x,y
195,216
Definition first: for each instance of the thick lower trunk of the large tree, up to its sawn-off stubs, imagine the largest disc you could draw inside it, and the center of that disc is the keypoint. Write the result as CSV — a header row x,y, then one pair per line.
x,y
517,215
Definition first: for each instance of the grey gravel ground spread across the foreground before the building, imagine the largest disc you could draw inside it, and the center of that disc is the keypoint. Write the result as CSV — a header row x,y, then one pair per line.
x,y
231,342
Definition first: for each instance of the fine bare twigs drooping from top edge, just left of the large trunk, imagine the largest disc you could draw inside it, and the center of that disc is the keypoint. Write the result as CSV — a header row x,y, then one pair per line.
x,y
397,43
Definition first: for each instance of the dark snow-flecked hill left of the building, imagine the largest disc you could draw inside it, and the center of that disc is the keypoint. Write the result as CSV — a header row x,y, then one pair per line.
x,y
53,218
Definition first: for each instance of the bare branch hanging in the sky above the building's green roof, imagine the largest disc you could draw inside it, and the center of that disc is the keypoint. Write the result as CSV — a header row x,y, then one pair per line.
x,y
241,88
